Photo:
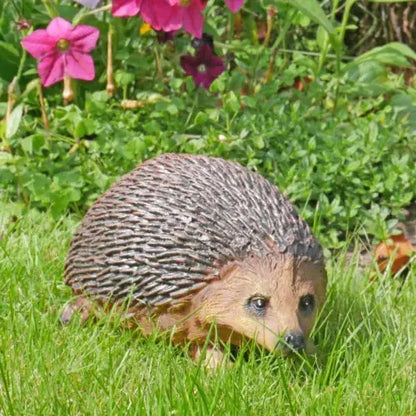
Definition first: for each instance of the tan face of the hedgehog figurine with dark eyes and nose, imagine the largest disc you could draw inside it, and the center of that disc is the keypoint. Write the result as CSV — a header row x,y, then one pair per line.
x,y
273,300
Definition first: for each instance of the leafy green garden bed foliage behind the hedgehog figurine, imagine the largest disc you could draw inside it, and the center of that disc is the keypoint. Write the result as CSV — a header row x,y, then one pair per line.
x,y
271,86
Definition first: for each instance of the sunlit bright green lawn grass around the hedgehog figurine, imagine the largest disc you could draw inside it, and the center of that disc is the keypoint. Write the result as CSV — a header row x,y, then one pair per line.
x,y
365,364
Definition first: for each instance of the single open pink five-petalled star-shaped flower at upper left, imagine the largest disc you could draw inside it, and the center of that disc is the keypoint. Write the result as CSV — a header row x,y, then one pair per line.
x,y
63,50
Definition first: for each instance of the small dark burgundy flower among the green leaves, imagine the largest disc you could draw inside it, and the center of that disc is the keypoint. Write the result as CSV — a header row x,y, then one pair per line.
x,y
204,67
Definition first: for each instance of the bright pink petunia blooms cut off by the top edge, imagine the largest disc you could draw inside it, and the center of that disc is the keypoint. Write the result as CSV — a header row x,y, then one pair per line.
x,y
169,15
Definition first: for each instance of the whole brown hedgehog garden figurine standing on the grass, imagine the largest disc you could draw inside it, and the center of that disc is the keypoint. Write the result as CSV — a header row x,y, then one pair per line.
x,y
185,242
